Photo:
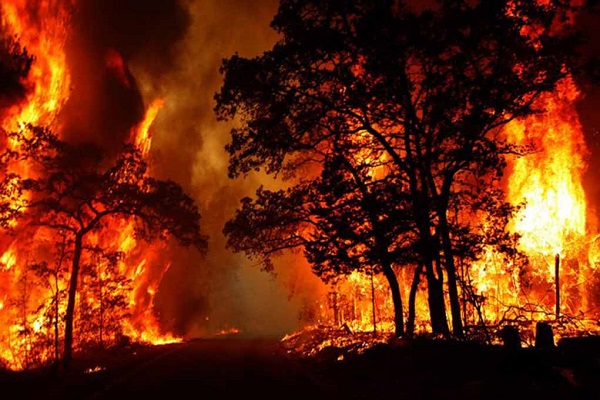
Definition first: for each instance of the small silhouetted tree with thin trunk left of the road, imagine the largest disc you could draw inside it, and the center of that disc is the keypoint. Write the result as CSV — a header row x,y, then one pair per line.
x,y
75,195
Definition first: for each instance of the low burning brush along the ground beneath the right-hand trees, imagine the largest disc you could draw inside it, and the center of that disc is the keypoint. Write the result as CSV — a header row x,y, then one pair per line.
x,y
358,317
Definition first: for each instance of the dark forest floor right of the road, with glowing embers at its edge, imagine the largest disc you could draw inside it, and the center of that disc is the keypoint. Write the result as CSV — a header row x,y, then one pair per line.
x,y
428,368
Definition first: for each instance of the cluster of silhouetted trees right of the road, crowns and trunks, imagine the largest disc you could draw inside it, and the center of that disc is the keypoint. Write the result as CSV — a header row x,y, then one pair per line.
x,y
407,108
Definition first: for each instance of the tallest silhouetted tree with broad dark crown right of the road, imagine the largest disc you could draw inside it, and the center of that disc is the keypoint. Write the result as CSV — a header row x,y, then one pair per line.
x,y
427,91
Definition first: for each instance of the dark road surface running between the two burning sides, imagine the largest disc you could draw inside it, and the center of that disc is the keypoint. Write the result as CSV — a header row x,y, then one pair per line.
x,y
204,368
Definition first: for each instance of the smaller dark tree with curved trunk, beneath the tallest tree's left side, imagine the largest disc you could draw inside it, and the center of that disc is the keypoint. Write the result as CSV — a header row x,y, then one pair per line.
x,y
340,221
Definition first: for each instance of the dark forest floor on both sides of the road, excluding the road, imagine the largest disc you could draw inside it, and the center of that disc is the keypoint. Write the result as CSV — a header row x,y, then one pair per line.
x,y
422,368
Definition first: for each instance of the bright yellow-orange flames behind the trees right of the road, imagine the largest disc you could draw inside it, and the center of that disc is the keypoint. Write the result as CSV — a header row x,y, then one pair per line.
x,y
557,232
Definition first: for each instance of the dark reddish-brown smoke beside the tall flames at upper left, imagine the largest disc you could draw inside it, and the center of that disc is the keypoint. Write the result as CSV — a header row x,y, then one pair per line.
x,y
102,106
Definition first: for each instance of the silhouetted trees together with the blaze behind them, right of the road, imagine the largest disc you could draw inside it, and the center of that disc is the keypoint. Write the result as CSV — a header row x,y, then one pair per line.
x,y
442,159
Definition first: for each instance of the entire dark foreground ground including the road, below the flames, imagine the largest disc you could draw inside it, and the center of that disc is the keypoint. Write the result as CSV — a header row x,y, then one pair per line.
x,y
246,368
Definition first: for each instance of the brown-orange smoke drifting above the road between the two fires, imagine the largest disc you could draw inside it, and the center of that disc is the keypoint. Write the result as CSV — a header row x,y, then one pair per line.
x,y
123,56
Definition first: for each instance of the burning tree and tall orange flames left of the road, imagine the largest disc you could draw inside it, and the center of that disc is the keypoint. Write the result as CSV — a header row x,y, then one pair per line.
x,y
75,218
